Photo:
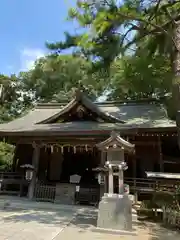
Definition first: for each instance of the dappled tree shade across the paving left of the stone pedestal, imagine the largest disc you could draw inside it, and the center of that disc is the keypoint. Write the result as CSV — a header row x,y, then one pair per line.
x,y
83,218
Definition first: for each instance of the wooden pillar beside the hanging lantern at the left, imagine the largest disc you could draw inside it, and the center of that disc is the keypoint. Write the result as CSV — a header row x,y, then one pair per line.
x,y
35,163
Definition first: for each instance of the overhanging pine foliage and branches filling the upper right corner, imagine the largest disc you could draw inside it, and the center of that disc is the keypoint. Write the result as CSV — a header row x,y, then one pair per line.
x,y
145,29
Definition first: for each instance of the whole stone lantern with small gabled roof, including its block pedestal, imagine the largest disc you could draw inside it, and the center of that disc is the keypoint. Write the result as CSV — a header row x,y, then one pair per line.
x,y
115,210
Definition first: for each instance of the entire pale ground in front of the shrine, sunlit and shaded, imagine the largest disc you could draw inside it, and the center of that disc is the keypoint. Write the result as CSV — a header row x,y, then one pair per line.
x,y
69,224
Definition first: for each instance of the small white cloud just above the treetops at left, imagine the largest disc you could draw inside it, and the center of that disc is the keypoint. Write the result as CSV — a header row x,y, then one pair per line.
x,y
29,56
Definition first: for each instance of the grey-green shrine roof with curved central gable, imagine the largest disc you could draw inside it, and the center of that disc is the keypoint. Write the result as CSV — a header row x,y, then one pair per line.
x,y
116,116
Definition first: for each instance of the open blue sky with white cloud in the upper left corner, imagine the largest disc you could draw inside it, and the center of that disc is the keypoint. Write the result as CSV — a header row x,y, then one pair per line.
x,y
25,26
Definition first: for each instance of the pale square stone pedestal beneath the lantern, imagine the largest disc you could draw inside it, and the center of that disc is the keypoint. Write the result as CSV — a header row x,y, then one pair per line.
x,y
115,212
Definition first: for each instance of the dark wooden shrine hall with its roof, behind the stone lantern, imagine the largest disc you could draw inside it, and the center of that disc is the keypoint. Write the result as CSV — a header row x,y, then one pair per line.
x,y
60,139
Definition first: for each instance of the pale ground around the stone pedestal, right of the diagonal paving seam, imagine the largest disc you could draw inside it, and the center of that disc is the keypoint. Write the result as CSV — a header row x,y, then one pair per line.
x,y
82,228
